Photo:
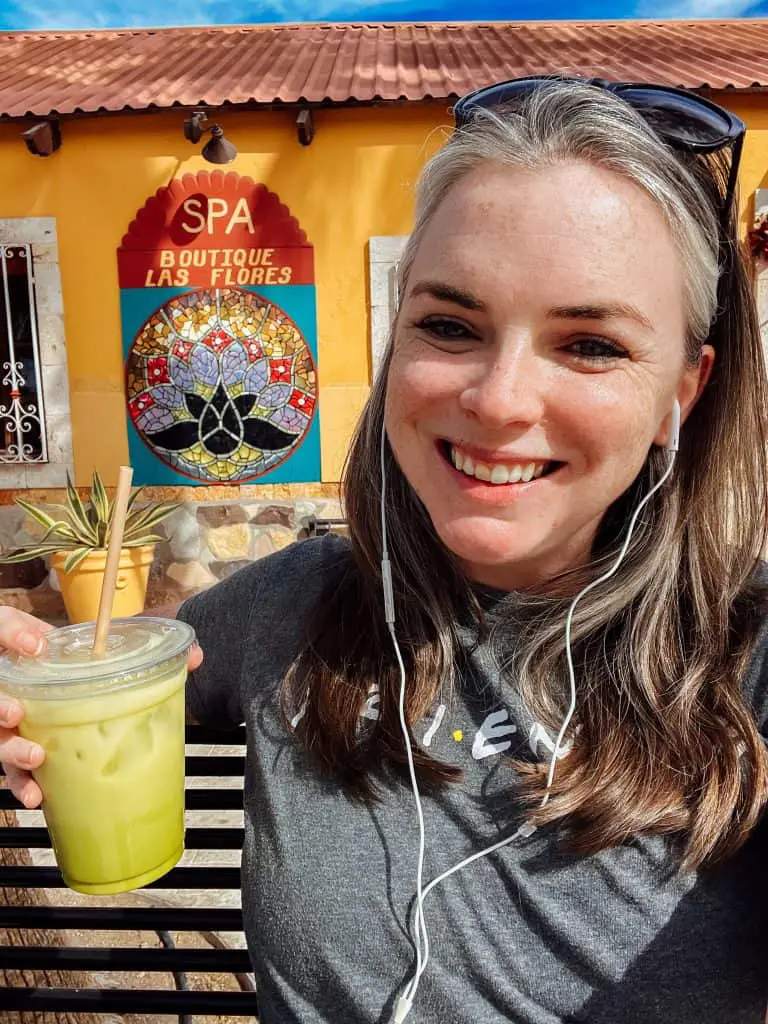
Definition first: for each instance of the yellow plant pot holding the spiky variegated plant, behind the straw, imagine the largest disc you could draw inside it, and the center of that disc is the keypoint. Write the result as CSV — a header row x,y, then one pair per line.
x,y
81,589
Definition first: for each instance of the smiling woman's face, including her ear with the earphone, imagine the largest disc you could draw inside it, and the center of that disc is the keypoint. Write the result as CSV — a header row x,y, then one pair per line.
x,y
542,332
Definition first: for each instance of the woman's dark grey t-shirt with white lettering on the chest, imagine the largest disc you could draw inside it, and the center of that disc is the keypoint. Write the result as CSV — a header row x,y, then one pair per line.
x,y
531,934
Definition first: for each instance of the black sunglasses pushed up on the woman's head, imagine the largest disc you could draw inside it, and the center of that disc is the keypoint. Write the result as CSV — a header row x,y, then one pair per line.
x,y
685,120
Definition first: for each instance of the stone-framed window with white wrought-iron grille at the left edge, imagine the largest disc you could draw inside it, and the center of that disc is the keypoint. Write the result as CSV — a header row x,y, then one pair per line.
x,y
35,429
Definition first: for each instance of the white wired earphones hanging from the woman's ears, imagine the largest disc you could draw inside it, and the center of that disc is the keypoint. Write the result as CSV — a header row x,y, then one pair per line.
x,y
419,935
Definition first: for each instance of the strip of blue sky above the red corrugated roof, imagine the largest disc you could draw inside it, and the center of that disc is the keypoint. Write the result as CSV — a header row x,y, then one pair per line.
x,y
133,14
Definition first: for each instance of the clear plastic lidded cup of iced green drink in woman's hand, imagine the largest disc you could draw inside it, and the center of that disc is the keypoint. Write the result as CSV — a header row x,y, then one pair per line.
x,y
113,732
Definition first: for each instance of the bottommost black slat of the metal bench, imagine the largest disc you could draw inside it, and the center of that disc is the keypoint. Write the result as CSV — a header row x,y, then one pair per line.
x,y
129,1001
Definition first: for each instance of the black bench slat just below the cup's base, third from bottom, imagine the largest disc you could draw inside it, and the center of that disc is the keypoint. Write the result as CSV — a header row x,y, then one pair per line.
x,y
117,919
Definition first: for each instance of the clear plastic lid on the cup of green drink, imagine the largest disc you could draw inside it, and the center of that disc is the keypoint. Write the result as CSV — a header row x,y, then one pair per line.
x,y
135,647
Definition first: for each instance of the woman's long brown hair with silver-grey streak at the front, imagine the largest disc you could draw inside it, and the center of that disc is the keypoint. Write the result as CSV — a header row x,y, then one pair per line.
x,y
663,742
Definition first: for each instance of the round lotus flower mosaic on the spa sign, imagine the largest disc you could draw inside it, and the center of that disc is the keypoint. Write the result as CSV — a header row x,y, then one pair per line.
x,y
222,385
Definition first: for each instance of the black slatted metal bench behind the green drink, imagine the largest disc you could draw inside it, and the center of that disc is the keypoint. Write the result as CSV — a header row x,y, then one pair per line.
x,y
169,958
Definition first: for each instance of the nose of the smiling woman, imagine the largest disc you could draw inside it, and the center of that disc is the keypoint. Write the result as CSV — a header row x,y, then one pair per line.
x,y
506,390
